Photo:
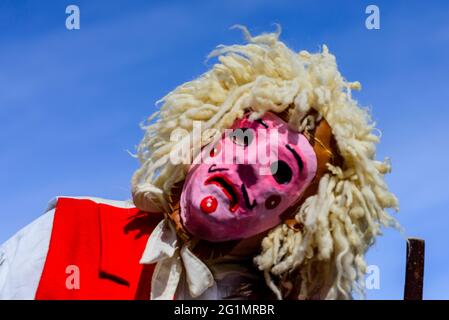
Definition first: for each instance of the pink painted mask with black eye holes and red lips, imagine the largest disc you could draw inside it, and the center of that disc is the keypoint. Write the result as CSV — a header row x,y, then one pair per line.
x,y
238,190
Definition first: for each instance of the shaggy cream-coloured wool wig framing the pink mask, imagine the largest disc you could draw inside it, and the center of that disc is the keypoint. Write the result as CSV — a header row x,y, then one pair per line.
x,y
341,221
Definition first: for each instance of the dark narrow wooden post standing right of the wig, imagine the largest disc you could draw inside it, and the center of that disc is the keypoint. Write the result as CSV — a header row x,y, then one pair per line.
x,y
414,274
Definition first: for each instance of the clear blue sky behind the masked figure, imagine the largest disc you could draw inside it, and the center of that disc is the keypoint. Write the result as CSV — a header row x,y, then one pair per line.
x,y
71,101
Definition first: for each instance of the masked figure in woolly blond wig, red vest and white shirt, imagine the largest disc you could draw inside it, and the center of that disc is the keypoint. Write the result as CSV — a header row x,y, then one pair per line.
x,y
258,180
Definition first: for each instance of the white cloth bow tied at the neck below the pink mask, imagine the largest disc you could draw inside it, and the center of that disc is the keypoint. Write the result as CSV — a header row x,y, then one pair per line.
x,y
181,274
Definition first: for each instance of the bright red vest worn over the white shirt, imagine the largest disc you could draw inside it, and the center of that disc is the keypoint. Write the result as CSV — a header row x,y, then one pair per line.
x,y
106,244
